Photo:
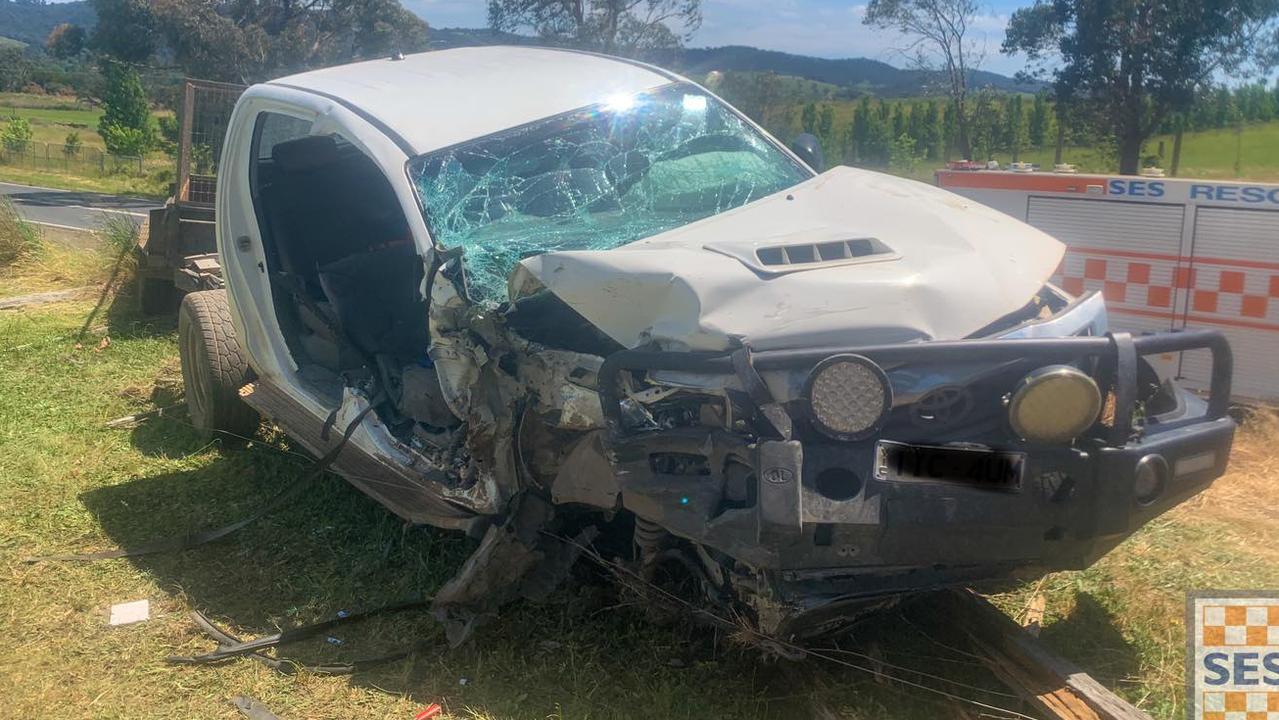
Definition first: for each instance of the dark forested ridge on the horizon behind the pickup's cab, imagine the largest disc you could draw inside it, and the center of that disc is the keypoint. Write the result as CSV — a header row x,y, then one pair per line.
x,y
859,75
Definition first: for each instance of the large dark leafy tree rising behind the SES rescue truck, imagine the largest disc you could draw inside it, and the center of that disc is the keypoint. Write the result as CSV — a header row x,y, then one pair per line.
x,y
1134,62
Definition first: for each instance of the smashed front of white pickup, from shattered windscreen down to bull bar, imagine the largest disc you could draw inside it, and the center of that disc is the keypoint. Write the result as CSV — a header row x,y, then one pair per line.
x,y
790,397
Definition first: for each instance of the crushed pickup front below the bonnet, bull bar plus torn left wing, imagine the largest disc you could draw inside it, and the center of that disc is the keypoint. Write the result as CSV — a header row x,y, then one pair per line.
x,y
785,489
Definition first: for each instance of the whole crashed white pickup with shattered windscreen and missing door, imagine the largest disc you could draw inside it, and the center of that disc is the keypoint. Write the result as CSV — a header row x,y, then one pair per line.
x,y
565,300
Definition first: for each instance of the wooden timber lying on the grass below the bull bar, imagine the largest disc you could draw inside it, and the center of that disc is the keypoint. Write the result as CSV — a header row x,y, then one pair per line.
x,y
1048,681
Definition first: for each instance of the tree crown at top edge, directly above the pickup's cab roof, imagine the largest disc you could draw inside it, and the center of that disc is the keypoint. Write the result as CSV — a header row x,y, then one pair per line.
x,y
624,27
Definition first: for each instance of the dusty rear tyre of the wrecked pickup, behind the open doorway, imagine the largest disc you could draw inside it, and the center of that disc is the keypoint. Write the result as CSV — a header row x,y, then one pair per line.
x,y
214,368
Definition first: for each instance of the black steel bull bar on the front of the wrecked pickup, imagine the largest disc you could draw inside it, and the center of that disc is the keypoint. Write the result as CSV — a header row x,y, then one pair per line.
x,y
809,526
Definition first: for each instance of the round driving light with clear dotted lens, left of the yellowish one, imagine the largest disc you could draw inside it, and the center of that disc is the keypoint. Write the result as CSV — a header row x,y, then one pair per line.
x,y
850,397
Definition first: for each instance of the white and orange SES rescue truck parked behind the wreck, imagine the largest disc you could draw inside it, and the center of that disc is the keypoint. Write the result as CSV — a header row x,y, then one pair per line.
x,y
1167,254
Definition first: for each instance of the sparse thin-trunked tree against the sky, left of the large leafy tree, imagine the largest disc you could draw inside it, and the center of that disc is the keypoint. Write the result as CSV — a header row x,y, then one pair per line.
x,y
938,42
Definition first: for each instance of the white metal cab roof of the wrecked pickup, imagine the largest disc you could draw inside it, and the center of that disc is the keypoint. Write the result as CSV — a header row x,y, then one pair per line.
x,y
439,99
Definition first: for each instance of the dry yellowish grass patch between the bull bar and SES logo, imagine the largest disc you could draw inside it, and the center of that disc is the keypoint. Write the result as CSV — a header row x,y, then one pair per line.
x,y
1124,618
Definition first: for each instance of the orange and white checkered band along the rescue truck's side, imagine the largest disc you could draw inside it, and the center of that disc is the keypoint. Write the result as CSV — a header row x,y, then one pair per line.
x,y
1221,292
